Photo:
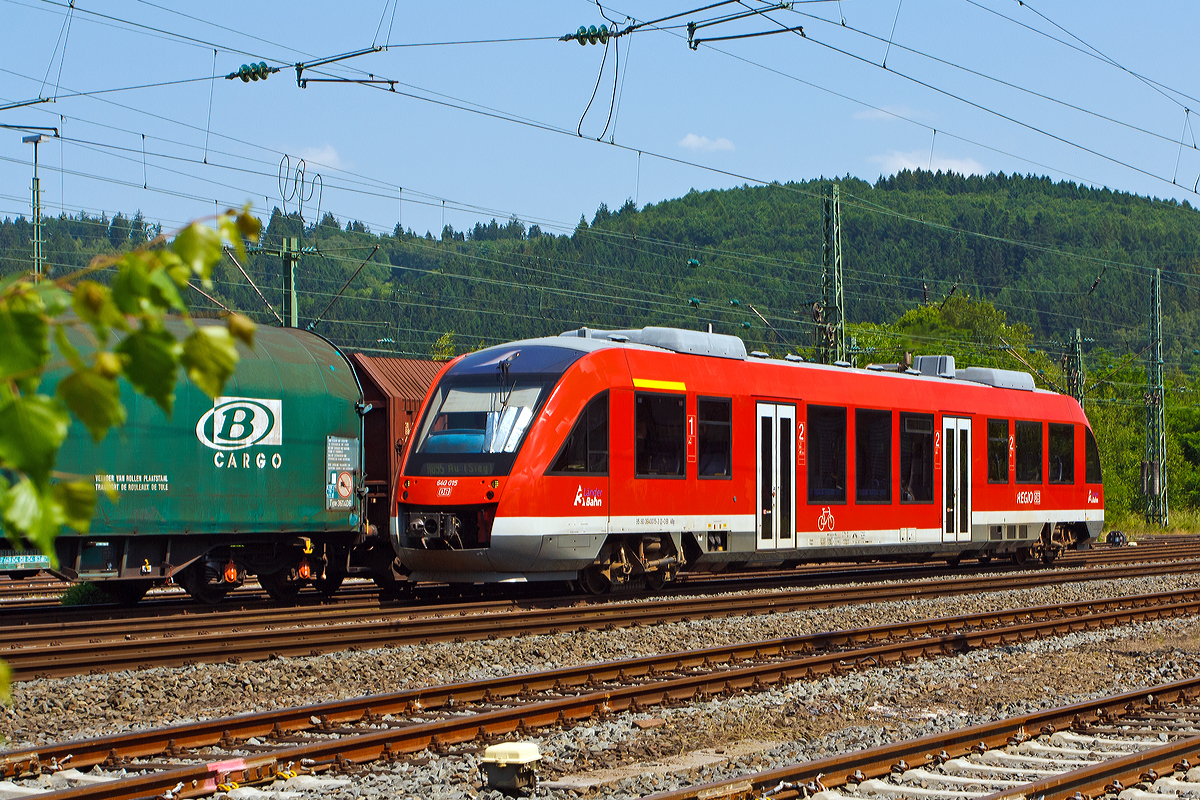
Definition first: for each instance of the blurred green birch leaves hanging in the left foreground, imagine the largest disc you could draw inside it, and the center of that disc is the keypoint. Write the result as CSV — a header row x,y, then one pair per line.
x,y
125,323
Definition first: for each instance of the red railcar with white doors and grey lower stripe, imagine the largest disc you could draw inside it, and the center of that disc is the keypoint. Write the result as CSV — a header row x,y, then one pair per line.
x,y
619,456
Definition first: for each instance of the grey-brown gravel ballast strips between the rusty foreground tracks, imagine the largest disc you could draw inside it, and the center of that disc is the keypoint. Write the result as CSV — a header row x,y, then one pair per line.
x,y
803,721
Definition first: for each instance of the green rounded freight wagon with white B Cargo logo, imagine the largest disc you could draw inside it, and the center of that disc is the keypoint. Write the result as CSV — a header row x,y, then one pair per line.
x,y
266,480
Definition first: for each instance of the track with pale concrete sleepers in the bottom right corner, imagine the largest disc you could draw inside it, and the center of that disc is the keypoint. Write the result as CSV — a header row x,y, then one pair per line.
x,y
1138,747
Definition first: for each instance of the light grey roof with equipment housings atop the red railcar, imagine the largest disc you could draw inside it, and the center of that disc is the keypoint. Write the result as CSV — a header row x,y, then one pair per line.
x,y
723,346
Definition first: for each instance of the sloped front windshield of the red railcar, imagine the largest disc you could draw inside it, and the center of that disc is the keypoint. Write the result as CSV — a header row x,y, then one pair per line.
x,y
481,412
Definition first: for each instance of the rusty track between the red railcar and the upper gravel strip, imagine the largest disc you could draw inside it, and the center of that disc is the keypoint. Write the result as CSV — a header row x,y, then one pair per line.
x,y
80,648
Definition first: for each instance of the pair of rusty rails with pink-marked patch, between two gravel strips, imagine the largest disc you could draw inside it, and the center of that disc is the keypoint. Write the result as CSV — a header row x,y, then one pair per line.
x,y
728,673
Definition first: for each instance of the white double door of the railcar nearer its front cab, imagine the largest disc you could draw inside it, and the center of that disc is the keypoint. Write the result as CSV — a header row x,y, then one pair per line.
x,y
777,477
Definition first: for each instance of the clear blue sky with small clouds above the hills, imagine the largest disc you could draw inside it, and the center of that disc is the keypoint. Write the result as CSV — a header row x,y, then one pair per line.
x,y
1089,92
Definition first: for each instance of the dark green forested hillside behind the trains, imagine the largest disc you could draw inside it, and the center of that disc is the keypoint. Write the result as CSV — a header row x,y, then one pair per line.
x,y
1021,254
